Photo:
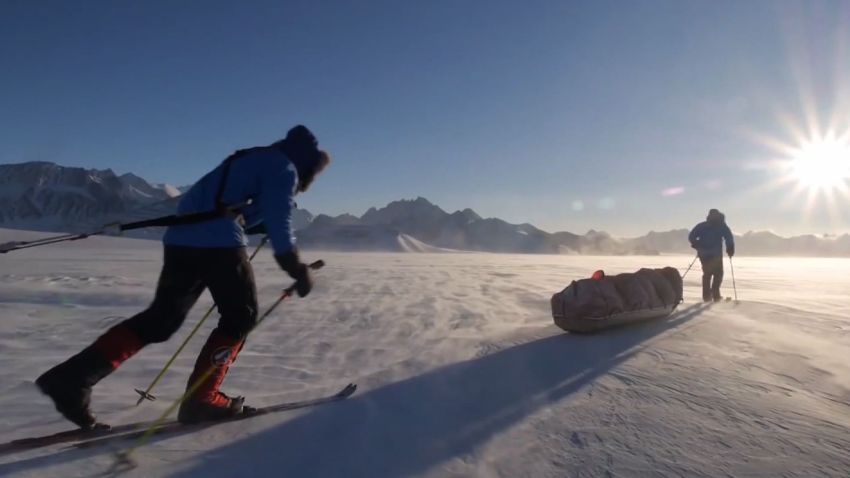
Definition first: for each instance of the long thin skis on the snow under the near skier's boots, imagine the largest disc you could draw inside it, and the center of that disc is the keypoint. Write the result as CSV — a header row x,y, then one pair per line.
x,y
82,438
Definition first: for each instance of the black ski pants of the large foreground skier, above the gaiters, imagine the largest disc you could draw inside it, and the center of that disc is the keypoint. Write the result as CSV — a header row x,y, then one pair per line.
x,y
186,272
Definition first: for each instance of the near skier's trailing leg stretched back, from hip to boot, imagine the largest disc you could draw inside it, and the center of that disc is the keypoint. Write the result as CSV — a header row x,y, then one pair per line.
x,y
69,384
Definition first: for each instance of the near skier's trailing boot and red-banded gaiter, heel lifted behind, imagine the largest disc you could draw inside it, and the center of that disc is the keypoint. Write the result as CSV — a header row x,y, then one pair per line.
x,y
69,384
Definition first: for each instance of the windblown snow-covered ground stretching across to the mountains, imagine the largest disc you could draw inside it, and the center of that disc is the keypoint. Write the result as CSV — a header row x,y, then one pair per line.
x,y
461,371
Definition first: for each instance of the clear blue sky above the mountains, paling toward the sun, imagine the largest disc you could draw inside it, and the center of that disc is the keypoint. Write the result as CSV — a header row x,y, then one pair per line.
x,y
620,116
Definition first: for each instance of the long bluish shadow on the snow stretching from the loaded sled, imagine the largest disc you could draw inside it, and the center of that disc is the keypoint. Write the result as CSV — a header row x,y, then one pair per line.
x,y
407,427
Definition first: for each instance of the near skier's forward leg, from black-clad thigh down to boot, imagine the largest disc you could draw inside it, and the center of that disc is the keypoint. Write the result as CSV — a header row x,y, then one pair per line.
x,y
231,283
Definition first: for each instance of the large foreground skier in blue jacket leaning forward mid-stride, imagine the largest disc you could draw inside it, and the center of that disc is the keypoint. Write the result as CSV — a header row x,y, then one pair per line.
x,y
202,255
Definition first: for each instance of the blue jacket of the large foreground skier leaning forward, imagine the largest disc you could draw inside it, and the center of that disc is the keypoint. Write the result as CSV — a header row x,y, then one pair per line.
x,y
265,175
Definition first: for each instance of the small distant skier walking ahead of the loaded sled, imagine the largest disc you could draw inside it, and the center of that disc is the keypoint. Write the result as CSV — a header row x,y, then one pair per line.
x,y
707,238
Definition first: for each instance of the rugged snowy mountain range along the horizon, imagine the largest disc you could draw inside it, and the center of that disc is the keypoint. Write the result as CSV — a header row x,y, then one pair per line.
x,y
47,197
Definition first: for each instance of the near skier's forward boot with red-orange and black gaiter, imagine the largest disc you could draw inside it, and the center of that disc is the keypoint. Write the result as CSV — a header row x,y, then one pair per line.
x,y
207,402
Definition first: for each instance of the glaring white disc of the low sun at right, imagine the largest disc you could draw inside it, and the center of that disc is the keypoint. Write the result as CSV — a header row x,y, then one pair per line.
x,y
822,164
